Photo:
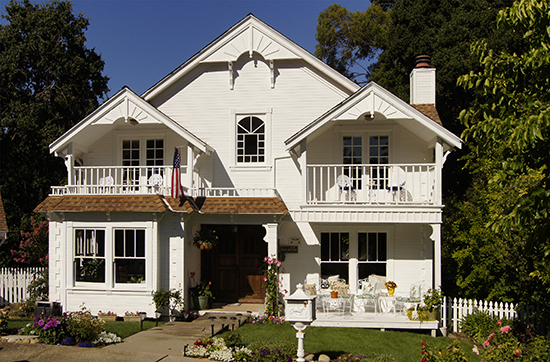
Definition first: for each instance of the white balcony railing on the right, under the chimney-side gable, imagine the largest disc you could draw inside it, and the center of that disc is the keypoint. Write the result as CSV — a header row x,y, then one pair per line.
x,y
371,184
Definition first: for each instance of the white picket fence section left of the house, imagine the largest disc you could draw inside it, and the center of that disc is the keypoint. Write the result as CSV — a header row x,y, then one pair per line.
x,y
14,283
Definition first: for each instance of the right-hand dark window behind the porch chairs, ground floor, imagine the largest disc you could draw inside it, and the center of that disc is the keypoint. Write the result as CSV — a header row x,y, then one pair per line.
x,y
372,253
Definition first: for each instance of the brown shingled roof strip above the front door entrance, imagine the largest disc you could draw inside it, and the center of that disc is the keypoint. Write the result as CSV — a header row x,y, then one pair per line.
x,y
232,205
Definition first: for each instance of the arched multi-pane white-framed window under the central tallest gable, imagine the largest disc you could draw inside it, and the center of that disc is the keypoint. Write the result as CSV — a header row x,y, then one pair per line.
x,y
250,140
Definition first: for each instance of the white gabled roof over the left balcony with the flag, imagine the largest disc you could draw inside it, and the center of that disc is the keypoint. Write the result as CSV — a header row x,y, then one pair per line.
x,y
124,107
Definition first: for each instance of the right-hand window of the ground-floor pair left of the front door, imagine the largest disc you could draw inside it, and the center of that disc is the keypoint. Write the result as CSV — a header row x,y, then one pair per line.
x,y
129,252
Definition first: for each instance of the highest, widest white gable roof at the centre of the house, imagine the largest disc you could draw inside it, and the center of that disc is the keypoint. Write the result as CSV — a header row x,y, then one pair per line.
x,y
248,36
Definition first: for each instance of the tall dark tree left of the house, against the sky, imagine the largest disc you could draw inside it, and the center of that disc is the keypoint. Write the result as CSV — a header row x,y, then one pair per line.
x,y
49,80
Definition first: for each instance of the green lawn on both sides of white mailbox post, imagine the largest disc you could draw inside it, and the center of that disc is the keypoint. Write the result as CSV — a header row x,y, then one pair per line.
x,y
334,342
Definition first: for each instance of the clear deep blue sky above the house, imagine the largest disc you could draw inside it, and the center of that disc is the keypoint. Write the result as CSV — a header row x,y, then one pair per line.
x,y
141,41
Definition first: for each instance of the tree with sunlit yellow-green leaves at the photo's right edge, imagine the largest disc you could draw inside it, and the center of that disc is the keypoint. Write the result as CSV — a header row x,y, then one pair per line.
x,y
509,129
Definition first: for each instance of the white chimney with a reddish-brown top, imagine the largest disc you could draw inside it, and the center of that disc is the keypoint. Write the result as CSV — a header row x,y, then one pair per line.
x,y
423,81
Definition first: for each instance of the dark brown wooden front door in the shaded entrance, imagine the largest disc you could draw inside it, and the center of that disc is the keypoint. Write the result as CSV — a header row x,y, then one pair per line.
x,y
235,264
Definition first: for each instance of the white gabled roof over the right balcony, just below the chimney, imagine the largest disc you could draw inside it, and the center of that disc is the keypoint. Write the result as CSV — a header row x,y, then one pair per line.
x,y
374,101
